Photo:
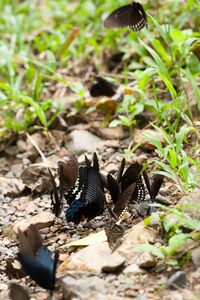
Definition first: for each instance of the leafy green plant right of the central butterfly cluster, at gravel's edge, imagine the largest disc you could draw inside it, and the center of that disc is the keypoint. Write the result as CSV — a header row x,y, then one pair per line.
x,y
176,163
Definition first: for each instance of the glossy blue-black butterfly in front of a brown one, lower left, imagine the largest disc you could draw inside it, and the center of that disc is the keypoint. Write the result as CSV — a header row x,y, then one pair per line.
x,y
41,268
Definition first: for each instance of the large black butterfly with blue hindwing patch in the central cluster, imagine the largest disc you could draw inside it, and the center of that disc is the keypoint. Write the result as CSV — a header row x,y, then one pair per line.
x,y
84,199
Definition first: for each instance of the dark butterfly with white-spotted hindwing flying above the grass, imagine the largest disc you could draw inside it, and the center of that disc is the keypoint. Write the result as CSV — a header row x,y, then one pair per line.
x,y
132,15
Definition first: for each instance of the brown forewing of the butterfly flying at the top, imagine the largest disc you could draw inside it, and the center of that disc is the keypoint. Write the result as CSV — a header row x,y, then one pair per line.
x,y
118,18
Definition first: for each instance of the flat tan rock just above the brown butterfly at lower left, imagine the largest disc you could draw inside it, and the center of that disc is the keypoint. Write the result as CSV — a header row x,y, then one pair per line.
x,y
42,220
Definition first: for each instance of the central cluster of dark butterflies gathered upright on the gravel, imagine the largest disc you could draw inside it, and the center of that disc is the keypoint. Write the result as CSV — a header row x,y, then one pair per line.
x,y
83,188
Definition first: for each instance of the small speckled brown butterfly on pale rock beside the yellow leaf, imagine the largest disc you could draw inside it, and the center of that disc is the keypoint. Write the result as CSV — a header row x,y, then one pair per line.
x,y
114,233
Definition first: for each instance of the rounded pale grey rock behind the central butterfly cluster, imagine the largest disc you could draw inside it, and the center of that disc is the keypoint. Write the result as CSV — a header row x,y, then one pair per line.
x,y
80,141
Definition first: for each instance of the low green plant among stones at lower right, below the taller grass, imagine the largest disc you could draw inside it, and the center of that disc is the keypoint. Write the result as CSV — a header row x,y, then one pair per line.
x,y
174,237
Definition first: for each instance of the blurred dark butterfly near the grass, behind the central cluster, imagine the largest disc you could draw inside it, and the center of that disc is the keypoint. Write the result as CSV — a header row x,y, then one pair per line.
x,y
103,87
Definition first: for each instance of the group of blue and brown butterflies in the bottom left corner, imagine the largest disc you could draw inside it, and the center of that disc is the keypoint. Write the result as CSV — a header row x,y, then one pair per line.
x,y
36,261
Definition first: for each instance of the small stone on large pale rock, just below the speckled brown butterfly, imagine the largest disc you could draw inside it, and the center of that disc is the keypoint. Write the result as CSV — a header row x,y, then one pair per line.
x,y
113,262
